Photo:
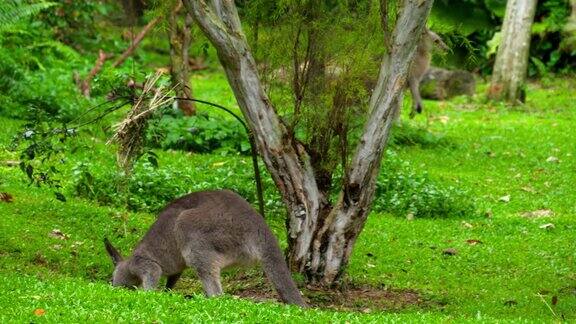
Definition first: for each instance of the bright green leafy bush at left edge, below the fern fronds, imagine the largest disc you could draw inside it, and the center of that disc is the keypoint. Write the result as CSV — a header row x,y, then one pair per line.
x,y
36,74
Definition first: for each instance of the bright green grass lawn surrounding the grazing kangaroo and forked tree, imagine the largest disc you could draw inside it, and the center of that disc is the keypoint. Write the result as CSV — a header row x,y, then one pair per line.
x,y
507,267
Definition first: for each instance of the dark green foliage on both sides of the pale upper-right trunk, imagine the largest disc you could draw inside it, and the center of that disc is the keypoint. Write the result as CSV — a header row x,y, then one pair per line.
x,y
473,36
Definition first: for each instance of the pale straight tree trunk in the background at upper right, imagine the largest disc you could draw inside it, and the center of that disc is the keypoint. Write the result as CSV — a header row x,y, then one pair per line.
x,y
511,64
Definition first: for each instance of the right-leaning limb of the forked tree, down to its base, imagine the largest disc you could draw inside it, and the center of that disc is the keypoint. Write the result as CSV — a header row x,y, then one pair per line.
x,y
334,242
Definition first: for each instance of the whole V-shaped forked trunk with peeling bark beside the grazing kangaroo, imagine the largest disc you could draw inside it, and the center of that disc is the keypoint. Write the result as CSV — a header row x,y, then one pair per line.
x,y
321,236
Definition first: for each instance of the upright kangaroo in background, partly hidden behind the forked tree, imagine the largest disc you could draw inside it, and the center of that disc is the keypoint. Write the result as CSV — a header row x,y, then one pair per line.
x,y
420,65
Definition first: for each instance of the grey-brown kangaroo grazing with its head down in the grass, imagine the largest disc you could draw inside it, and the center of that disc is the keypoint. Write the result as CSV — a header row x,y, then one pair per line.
x,y
208,231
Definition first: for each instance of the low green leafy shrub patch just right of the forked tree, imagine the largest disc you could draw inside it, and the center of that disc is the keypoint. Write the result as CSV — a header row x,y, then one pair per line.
x,y
401,190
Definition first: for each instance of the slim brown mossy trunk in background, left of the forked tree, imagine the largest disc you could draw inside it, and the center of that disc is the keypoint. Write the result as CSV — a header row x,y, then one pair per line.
x,y
180,38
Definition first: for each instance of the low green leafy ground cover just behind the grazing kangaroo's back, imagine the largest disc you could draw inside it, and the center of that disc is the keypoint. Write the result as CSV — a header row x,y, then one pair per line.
x,y
150,188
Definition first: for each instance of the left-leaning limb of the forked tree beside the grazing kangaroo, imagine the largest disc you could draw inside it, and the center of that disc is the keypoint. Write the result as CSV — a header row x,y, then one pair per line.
x,y
286,160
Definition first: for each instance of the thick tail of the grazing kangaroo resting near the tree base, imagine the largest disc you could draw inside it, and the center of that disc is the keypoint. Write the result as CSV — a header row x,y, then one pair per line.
x,y
277,271
